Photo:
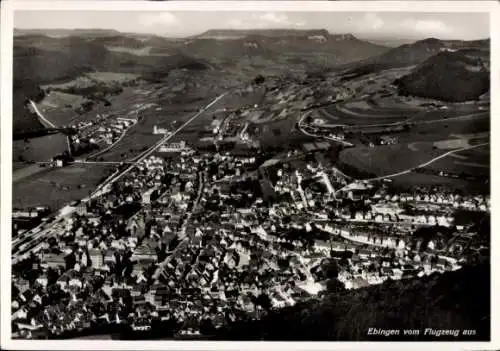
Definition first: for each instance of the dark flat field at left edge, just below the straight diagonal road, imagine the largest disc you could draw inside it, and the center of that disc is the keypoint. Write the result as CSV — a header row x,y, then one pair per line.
x,y
58,186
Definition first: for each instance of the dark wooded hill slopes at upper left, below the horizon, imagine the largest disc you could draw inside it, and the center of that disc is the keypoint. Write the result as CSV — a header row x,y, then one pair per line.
x,y
40,59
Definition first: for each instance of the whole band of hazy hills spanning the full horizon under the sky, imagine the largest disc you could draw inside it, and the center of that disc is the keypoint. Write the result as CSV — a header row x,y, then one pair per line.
x,y
58,55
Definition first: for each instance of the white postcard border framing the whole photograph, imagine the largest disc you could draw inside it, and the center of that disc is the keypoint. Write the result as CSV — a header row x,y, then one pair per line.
x,y
8,7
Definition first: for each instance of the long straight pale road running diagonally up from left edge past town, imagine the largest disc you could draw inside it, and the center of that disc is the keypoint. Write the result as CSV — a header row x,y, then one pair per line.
x,y
31,238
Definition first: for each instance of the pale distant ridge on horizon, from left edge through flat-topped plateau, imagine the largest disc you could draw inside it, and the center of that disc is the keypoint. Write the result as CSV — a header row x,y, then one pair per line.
x,y
221,44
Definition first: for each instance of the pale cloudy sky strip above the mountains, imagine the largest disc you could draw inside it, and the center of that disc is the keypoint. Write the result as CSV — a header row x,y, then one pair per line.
x,y
415,25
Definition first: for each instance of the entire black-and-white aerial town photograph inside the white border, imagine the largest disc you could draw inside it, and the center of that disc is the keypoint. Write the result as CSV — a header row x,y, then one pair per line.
x,y
251,176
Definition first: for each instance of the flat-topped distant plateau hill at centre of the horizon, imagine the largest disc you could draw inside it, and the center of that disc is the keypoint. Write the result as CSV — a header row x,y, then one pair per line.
x,y
274,45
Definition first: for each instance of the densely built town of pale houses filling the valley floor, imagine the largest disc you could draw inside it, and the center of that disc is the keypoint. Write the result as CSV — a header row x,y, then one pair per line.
x,y
199,240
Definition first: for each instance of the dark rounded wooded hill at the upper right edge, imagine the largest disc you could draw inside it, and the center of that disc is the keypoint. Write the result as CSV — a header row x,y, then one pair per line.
x,y
449,76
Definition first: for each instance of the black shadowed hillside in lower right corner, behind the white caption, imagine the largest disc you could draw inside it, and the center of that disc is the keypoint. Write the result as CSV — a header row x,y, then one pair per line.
x,y
454,300
